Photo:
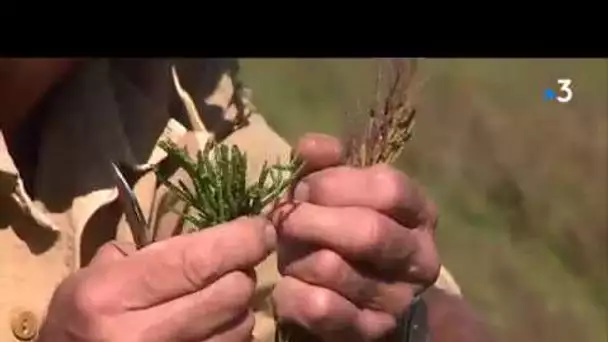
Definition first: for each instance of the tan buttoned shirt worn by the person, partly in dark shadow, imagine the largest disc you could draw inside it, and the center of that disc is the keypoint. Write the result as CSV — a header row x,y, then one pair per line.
x,y
57,194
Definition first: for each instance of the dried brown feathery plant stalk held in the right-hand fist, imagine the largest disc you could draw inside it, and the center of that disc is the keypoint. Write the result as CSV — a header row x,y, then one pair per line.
x,y
376,136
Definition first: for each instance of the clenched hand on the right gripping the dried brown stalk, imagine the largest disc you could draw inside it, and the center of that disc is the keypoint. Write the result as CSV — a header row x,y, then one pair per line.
x,y
356,245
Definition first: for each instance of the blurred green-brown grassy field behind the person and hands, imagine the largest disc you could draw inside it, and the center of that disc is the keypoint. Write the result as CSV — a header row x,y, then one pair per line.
x,y
521,183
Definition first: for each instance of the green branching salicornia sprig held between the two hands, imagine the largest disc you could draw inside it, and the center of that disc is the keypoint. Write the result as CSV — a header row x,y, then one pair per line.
x,y
219,191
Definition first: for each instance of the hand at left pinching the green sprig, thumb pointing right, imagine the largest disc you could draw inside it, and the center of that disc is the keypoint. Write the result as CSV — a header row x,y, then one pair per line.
x,y
195,287
